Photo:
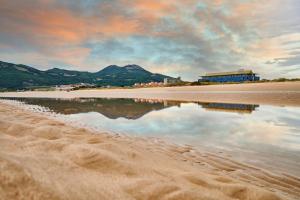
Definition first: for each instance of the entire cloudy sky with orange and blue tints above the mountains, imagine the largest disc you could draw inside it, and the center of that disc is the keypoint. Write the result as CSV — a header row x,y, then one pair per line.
x,y
184,38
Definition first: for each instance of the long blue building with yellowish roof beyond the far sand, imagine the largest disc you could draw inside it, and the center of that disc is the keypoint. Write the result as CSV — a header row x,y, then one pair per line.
x,y
234,76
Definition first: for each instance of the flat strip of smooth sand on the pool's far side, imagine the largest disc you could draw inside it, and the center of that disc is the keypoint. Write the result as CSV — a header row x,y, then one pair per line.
x,y
279,94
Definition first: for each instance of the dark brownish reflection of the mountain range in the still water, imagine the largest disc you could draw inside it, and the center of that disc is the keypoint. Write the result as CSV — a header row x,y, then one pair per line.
x,y
111,108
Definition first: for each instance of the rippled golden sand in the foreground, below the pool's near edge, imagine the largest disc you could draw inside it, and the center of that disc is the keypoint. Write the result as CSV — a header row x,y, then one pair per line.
x,y
41,158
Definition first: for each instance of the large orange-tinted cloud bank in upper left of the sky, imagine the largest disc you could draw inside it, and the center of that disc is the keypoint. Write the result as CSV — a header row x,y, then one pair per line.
x,y
61,26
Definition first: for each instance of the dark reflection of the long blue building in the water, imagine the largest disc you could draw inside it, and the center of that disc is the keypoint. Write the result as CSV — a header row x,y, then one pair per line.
x,y
229,107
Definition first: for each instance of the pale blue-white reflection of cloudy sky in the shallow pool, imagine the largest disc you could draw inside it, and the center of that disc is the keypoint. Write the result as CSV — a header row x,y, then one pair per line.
x,y
192,123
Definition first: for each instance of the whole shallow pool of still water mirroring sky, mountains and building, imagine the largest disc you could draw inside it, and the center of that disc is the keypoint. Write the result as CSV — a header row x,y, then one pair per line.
x,y
264,136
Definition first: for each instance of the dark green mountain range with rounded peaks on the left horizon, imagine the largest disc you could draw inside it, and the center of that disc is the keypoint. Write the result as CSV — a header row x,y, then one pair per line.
x,y
17,76
